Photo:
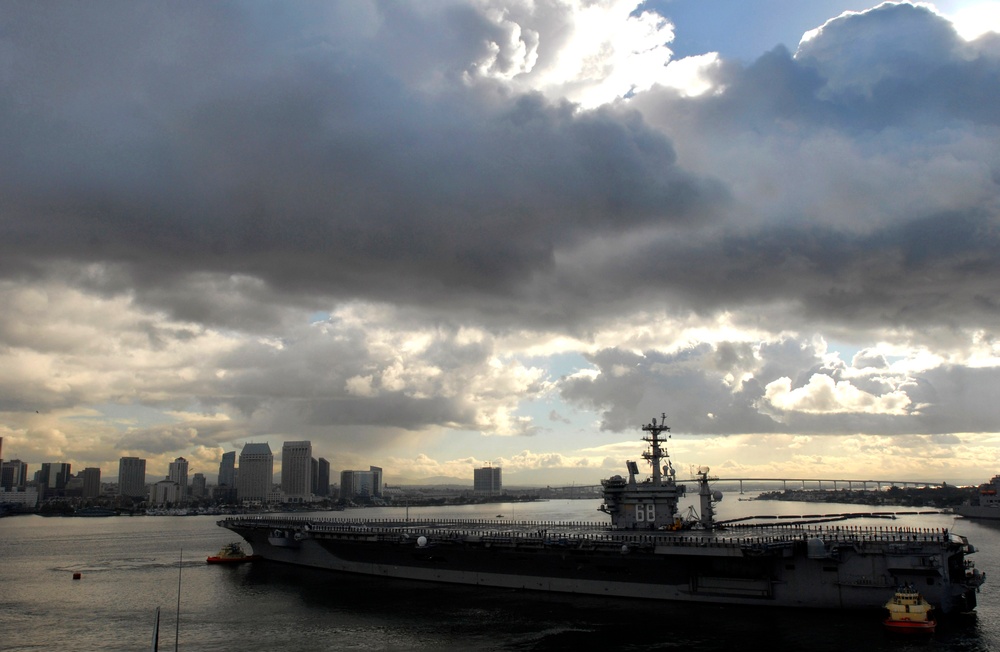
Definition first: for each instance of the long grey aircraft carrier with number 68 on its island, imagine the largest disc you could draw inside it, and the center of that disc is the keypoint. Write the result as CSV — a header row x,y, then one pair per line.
x,y
649,550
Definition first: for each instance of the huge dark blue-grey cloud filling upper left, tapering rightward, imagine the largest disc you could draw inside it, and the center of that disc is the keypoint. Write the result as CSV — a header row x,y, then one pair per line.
x,y
303,167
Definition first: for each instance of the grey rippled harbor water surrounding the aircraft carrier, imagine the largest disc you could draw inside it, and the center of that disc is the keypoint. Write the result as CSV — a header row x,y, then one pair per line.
x,y
131,565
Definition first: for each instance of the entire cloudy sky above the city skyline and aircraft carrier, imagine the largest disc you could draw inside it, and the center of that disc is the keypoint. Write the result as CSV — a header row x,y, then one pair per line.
x,y
430,236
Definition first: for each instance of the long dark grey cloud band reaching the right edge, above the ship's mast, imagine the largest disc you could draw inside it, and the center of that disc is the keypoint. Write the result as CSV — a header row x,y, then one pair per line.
x,y
939,269
